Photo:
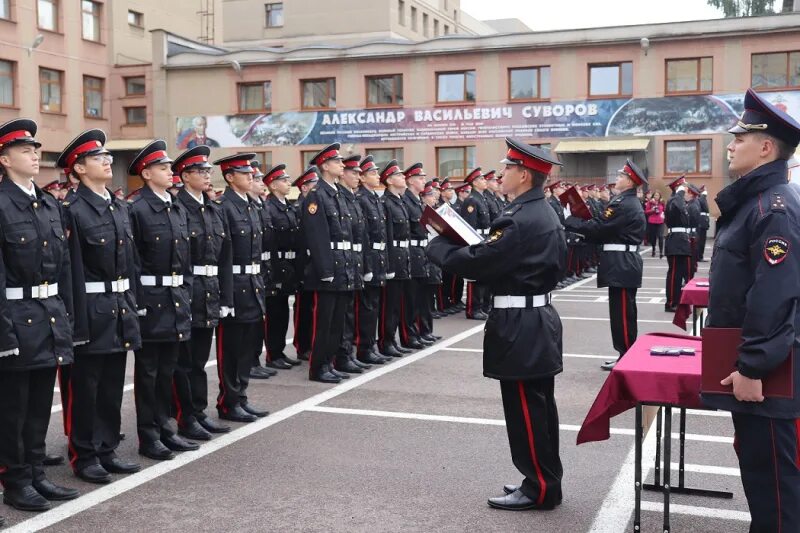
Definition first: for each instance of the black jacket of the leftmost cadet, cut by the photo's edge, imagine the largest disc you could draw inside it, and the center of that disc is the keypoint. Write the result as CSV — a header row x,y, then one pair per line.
x,y
33,251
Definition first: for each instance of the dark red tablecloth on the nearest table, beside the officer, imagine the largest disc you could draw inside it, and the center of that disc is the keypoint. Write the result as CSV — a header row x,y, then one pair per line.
x,y
640,377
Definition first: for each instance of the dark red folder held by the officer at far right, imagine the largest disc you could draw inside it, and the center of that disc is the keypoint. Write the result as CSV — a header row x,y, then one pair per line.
x,y
720,351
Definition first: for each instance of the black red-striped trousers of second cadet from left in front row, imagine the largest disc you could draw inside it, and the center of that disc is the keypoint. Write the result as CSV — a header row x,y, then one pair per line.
x,y
93,420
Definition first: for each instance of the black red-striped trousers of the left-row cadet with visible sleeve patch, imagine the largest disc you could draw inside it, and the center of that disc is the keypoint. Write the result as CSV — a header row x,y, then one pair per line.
x,y
327,323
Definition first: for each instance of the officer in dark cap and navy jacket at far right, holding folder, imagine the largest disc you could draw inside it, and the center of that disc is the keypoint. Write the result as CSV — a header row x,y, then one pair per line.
x,y
754,273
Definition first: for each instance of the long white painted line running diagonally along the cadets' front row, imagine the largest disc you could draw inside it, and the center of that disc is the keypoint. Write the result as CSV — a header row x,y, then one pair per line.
x,y
100,495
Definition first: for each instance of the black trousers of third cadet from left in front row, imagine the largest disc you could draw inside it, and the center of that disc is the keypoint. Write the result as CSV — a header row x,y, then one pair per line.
x,y
152,387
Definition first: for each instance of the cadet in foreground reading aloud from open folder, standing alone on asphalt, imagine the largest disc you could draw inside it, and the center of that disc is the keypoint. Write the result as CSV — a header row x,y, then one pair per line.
x,y
521,261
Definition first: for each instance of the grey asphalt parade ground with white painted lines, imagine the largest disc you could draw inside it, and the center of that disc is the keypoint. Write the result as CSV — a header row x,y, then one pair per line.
x,y
415,445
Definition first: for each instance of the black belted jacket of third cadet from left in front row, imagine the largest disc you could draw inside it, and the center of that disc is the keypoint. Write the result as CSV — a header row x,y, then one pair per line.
x,y
161,235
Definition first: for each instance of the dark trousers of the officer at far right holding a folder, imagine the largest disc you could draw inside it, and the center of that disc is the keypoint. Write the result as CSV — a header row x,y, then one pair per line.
x,y
768,454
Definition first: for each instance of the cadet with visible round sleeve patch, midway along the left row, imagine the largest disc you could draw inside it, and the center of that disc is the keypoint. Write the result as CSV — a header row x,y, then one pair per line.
x,y
330,273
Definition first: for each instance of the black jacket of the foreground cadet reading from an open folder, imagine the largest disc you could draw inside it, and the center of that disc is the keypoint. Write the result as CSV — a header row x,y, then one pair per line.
x,y
524,255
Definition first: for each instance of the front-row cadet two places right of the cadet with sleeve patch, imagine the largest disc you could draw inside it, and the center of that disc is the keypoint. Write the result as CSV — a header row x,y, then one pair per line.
x,y
375,264
